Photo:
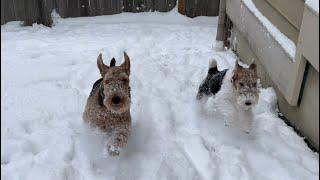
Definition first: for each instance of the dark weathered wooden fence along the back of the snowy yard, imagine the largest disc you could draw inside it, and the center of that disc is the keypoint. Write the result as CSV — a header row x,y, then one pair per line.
x,y
31,11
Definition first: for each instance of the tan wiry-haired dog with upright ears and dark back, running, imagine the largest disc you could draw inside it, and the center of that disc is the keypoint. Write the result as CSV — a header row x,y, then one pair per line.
x,y
108,106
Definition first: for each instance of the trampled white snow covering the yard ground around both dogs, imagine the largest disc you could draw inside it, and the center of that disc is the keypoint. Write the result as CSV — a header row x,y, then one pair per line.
x,y
47,75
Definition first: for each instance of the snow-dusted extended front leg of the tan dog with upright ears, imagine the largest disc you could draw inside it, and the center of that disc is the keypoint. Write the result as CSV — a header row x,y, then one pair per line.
x,y
119,139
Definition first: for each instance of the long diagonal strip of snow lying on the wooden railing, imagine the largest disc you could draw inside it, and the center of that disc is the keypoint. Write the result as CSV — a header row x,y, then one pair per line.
x,y
288,45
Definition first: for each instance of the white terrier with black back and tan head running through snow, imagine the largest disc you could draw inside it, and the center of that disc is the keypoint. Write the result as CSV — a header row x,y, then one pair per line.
x,y
236,91
